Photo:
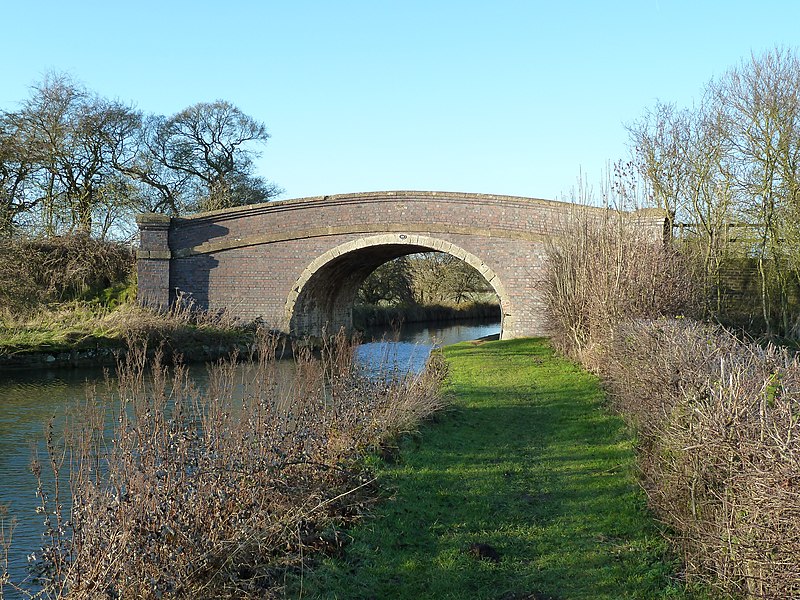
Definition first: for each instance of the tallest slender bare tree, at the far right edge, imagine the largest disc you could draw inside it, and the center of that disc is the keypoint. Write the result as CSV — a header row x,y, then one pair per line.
x,y
762,105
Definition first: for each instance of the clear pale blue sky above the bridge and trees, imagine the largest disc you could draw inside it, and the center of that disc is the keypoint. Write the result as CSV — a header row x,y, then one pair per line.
x,y
478,96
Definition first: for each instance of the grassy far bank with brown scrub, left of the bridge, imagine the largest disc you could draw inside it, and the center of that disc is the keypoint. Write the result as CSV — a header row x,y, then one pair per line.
x,y
73,298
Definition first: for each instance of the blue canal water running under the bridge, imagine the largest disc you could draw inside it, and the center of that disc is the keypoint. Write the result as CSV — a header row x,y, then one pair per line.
x,y
29,399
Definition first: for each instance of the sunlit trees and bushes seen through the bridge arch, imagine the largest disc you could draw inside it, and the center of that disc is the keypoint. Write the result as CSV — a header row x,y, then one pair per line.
x,y
425,279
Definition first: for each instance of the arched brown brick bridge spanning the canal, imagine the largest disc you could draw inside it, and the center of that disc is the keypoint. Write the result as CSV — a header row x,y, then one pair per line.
x,y
298,263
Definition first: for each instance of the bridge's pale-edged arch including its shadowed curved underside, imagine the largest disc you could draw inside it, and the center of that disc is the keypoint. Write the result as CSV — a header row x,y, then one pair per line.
x,y
324,293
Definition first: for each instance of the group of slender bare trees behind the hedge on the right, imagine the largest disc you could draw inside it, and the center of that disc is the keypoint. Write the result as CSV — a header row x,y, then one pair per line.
x,y
728,170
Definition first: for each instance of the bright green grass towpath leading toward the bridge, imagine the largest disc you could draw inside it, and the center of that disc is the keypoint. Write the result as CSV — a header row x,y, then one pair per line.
x,y
529,461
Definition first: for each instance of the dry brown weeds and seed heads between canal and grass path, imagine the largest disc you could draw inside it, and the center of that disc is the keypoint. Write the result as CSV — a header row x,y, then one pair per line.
x,y
202,495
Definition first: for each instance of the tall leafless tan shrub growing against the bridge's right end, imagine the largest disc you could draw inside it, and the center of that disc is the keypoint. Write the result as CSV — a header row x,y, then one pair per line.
x,y
603,270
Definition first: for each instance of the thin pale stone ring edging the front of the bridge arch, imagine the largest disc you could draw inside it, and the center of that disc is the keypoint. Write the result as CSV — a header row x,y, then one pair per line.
x,y
420,243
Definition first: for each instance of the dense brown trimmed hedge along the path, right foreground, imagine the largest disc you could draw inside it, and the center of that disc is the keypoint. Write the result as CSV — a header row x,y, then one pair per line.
x,y
719,428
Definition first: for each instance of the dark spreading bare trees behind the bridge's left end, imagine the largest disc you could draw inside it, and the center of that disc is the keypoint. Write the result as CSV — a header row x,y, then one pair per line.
x,y
73,162
